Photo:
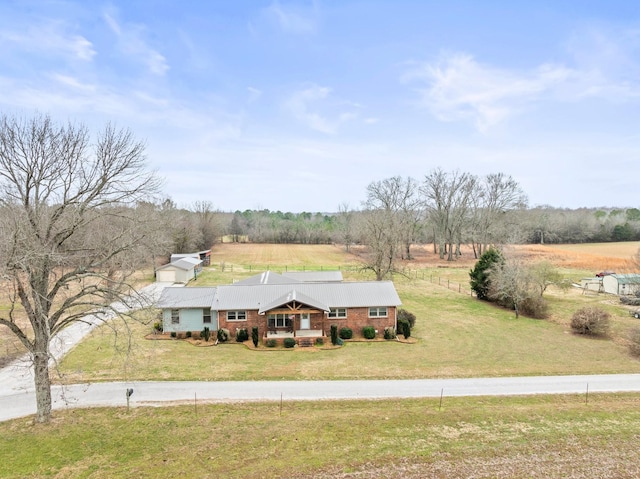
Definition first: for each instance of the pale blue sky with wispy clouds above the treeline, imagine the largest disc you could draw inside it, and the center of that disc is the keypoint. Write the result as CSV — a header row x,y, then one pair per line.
x,y
299,105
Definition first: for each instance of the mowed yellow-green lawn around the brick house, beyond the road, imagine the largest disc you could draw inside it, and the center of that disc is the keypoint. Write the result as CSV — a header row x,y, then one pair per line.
x,y
456,336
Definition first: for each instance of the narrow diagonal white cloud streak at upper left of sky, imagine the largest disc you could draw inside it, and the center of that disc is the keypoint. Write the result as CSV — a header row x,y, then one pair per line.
x,y
132,43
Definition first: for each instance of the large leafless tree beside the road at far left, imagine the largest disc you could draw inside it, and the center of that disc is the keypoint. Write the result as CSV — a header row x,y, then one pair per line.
x,y
69,228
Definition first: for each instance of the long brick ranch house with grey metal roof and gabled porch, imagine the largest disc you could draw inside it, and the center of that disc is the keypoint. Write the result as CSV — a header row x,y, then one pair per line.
x,y
297,305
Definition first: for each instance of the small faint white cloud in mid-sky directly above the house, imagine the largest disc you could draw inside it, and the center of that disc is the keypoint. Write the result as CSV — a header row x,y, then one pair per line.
x,y
304,105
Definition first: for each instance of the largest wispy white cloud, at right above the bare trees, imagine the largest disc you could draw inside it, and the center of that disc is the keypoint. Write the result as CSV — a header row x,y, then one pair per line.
x,y
460,88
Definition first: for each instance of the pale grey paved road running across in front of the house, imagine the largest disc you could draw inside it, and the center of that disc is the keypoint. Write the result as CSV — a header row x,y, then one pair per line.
x,y
145,393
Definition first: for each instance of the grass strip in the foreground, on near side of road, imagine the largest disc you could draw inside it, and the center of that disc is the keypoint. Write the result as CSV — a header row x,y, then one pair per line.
x,y
533,437
